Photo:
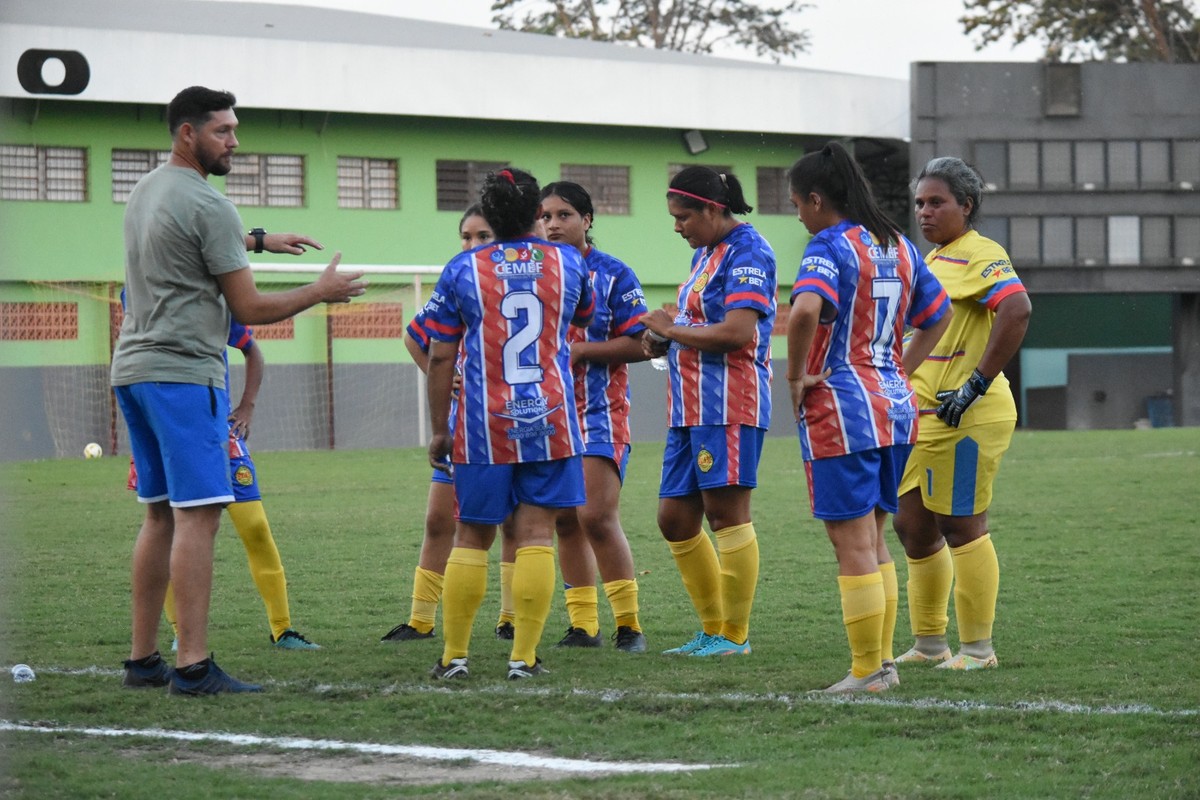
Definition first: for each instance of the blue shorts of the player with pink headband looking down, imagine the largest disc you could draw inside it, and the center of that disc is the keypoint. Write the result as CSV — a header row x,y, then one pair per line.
x,y
710,458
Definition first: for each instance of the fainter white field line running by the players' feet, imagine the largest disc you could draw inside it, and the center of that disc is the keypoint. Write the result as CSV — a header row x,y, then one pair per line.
x,y
895,700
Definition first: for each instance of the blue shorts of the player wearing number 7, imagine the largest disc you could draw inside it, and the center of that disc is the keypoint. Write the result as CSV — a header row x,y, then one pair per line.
x,y
849,488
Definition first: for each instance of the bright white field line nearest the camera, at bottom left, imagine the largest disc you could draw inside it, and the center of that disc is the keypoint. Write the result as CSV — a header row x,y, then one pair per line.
x,y
494,757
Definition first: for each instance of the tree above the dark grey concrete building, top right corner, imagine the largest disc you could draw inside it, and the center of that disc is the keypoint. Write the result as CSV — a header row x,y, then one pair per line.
x,y
1108,31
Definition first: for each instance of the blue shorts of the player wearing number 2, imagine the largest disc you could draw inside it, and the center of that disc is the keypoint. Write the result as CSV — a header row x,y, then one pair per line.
x,y
489,494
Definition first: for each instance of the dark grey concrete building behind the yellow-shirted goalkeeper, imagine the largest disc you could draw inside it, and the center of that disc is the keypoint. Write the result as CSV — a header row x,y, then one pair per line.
x,y
1094,172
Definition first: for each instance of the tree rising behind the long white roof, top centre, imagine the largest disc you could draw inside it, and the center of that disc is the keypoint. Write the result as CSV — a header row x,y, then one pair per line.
x,y
688,26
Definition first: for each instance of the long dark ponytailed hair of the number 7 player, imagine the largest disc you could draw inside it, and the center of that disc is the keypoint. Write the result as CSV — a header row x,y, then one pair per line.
x,y
836,176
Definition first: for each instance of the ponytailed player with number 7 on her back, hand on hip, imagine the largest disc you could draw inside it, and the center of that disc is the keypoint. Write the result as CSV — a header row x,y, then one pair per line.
x,y
860,286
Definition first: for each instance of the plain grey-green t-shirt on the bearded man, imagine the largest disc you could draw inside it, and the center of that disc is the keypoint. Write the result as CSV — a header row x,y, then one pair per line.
x,y
179,234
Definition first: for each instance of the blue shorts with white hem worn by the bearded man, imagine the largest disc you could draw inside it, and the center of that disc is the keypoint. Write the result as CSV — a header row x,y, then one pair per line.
x,y
179,435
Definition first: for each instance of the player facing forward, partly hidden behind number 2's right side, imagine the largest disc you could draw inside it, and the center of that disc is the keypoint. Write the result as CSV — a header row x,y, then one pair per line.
x,y
592,537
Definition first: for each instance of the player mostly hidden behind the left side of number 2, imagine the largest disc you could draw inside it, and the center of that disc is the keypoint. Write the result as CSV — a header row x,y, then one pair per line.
x,y
428,580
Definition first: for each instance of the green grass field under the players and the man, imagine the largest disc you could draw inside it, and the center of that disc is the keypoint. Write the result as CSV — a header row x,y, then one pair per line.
x,y
1097,696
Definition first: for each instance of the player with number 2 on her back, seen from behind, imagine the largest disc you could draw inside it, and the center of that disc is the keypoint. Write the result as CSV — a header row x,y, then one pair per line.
x,y
517,446
